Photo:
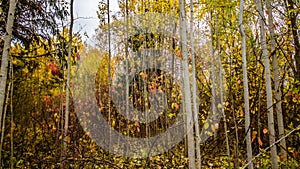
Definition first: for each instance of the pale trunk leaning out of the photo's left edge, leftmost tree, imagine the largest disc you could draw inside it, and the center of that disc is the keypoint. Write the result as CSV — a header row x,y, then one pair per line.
x,y
5,54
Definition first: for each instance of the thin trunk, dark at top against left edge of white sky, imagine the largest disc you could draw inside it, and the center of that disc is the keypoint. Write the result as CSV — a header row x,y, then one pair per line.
x,y
67,114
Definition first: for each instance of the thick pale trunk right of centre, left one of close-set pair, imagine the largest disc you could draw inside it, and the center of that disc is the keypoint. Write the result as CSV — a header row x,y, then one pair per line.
x,y
187,91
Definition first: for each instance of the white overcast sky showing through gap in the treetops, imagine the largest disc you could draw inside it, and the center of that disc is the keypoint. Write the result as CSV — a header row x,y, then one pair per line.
x,y
86,13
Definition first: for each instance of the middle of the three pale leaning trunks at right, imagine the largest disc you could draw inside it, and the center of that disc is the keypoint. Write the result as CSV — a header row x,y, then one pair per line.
x,y
268,85
